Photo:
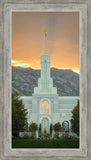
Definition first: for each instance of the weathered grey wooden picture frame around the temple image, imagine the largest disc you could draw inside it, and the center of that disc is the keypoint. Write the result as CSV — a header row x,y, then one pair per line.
x,y
85,87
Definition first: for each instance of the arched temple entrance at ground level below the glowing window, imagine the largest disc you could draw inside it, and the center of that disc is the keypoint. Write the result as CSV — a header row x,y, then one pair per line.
x,y
45,126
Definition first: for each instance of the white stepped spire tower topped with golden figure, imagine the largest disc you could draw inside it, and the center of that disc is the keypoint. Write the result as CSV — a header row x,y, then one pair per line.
x,y
45,82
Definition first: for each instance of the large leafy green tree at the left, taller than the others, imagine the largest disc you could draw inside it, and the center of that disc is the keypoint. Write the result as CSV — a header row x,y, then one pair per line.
x,y
19,114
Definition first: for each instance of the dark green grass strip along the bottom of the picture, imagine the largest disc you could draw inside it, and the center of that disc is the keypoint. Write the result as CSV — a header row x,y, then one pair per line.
x,y
36,143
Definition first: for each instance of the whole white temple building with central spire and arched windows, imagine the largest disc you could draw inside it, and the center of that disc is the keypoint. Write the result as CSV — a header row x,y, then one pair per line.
x,y
45,106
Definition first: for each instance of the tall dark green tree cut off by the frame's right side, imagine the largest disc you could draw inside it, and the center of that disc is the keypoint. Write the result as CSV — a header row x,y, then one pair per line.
x,y
75,119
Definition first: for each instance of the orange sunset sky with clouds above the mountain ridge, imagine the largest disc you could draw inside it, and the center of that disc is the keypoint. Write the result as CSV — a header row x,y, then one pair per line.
x,y
28,39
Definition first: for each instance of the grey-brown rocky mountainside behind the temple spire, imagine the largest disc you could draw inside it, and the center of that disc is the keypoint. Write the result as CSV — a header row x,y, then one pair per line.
x,y
25,79
